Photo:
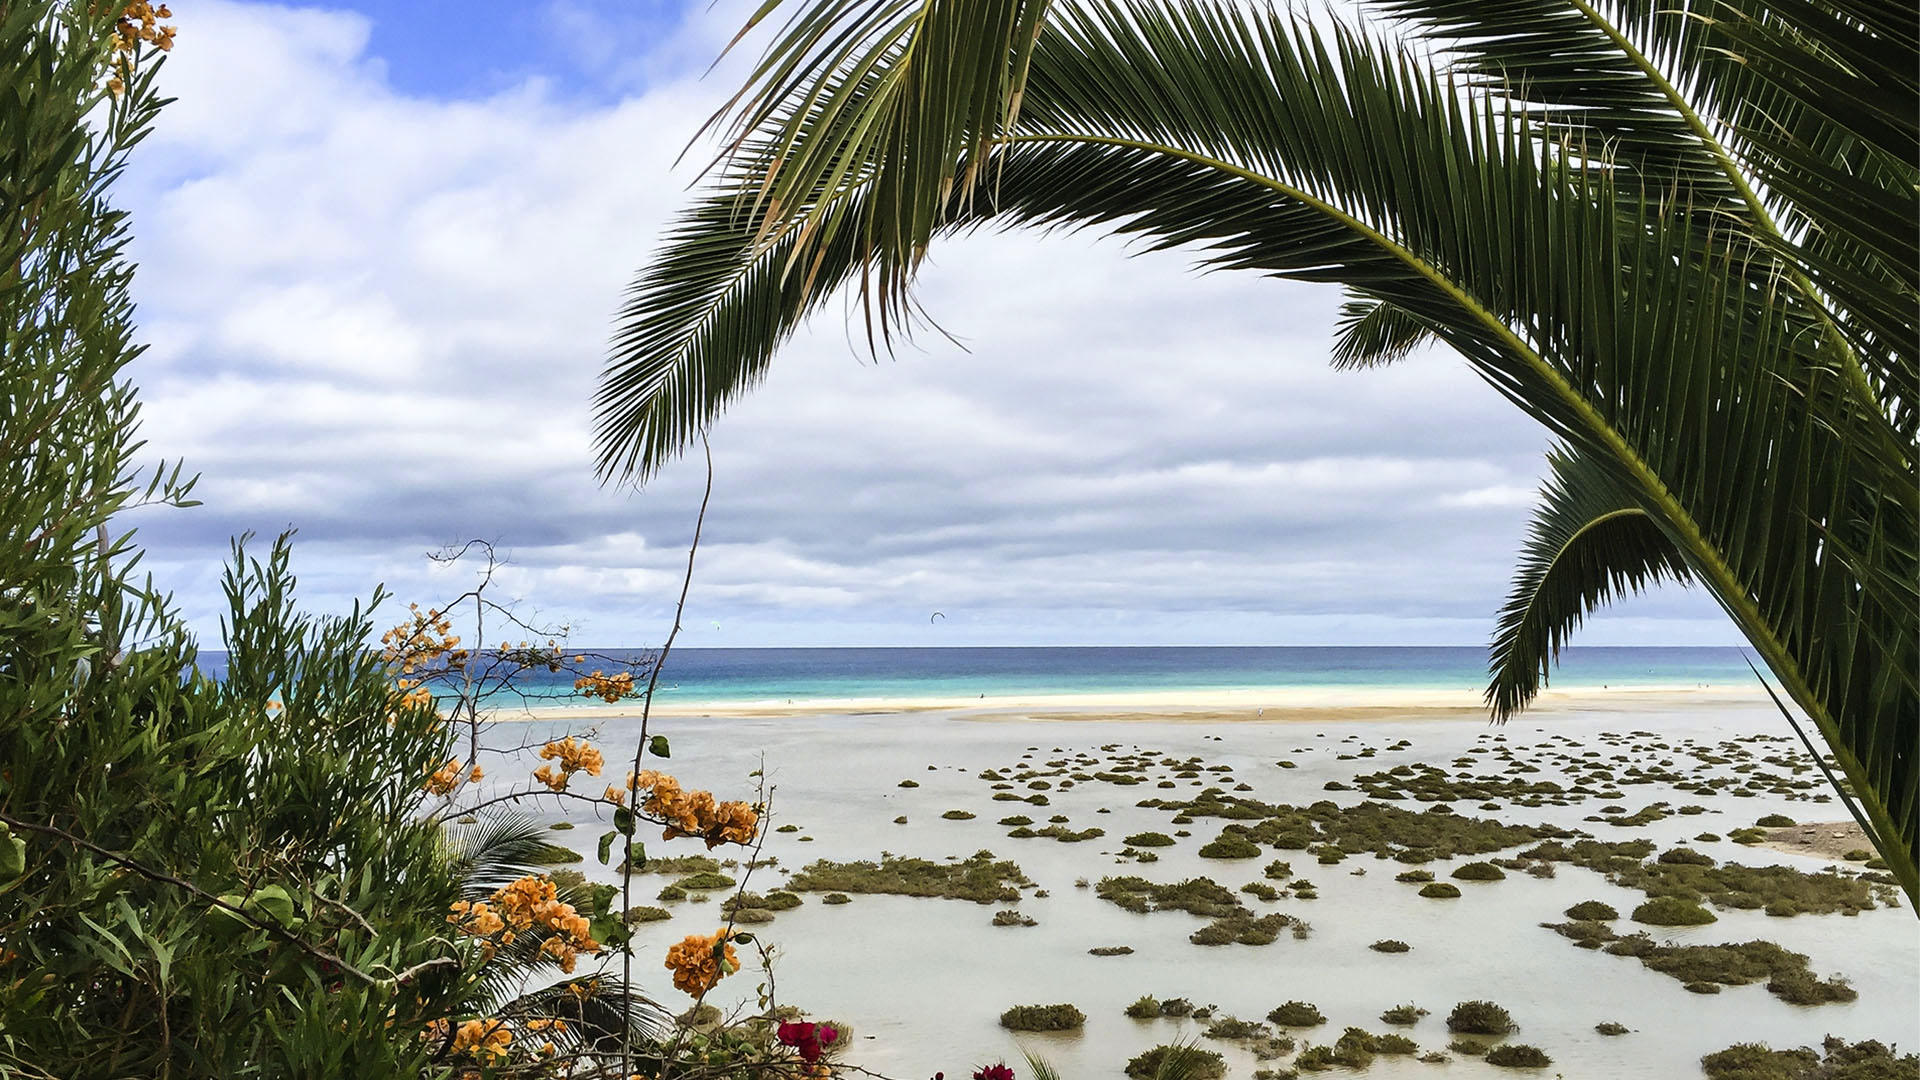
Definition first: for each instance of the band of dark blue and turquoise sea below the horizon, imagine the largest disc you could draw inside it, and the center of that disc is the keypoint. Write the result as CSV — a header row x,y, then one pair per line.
x,y
754,675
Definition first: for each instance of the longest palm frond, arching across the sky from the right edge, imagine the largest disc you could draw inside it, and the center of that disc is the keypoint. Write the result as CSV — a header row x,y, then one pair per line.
x,y
1664,353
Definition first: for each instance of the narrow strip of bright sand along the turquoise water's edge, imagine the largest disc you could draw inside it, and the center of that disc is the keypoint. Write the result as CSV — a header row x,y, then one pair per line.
x,y
1272,704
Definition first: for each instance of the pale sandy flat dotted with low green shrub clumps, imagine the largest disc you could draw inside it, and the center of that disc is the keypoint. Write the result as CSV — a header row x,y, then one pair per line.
x,y
942,779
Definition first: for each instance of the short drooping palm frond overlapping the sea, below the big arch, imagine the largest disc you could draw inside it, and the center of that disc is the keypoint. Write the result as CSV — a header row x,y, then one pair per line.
x,y
1589,543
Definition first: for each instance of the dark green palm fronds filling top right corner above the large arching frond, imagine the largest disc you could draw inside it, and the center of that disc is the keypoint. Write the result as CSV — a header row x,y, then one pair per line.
x,y
1792,120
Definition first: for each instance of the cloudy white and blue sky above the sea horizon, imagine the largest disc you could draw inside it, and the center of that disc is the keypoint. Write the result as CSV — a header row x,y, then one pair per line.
x,y
381,251
